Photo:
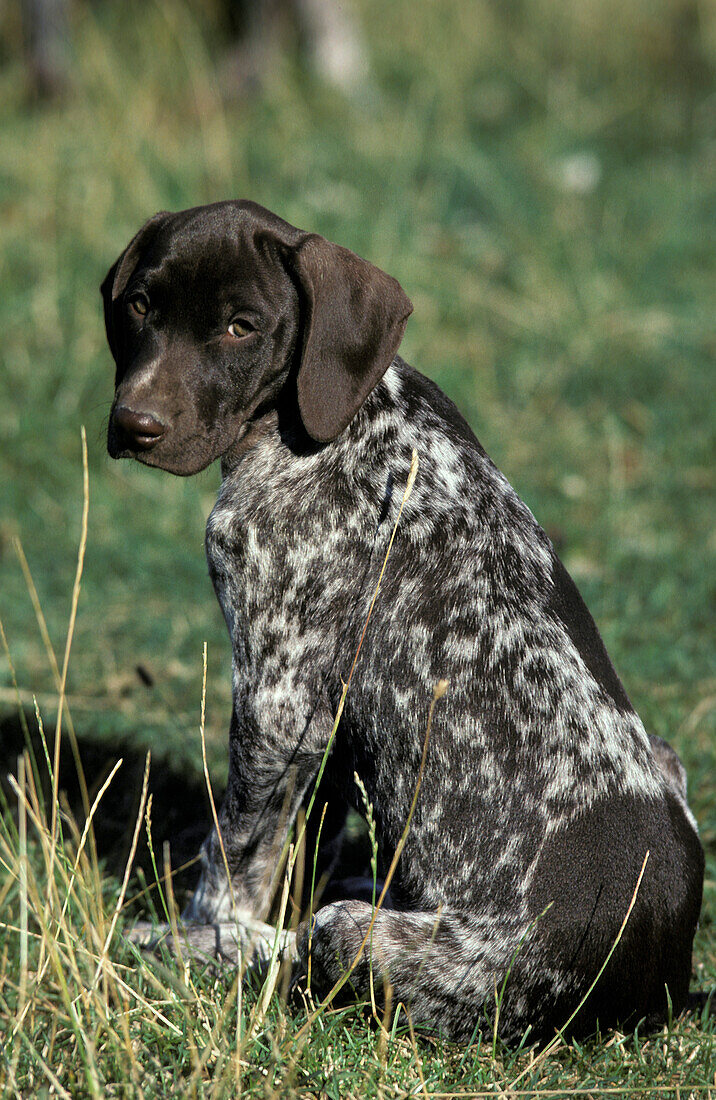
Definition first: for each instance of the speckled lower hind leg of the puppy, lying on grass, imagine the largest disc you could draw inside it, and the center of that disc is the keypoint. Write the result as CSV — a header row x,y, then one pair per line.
x,y
445,967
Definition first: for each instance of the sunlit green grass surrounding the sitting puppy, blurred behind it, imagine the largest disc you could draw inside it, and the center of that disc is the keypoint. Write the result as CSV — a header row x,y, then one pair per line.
x,y
574,327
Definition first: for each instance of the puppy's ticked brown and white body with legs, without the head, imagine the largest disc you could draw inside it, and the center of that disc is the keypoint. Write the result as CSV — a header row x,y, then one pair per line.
x,y
542,793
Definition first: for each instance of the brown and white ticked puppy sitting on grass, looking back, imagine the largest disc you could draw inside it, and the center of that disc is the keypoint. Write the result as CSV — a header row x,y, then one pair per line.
x,y
238,337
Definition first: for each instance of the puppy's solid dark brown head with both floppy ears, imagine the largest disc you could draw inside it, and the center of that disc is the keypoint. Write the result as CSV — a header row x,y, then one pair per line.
x,y
215,313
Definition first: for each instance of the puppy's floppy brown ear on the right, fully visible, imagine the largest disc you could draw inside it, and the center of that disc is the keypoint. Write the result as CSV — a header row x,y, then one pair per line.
x,y
355,323
